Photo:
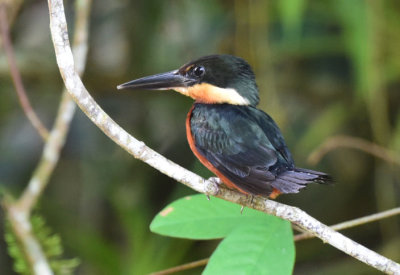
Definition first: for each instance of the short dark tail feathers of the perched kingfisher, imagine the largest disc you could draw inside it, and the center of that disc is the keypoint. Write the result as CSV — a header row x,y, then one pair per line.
x,y
293,180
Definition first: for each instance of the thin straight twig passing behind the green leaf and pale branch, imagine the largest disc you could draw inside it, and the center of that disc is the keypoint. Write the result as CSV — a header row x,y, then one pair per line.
x,y
299,237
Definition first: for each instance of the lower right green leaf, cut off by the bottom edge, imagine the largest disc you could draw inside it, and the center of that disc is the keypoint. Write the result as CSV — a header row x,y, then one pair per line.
x,y
257,248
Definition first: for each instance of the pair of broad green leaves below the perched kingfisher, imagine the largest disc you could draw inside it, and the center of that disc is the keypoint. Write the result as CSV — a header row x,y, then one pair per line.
x,y
254,243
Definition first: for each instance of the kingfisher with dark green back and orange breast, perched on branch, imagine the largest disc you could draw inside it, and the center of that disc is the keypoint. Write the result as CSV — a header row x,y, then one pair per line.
x,y
239,143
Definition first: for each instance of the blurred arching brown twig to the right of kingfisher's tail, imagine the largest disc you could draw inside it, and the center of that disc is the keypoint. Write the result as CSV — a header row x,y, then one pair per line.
x,y
335,142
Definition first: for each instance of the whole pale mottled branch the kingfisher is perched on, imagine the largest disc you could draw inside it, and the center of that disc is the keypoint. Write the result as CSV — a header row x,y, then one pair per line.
x,y
139,150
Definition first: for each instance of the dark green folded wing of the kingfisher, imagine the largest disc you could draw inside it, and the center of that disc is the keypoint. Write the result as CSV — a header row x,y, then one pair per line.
x,y
233,141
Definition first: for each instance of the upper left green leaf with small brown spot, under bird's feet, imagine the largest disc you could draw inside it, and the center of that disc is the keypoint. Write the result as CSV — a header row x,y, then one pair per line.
x,y
195,217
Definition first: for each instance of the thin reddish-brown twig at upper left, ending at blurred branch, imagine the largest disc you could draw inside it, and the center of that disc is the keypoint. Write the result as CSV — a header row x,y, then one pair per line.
x,y
16,76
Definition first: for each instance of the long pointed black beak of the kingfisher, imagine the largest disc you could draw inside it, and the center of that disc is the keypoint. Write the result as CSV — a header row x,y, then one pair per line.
x,y
163,81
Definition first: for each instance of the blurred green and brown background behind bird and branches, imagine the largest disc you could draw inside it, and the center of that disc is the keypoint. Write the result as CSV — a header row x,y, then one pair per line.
x,y
323,68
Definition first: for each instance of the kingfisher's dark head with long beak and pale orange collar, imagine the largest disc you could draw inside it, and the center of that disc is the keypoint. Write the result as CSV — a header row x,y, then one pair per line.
x,y
213,79
